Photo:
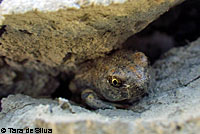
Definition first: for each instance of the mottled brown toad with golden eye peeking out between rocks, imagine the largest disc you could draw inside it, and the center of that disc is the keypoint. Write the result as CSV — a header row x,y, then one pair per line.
x,y
112,81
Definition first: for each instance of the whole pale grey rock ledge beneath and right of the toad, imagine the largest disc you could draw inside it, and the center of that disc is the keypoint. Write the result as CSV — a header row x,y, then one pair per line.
x,y
174,108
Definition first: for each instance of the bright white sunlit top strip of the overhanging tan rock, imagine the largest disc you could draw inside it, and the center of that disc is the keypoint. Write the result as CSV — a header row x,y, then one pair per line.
x,y
22,6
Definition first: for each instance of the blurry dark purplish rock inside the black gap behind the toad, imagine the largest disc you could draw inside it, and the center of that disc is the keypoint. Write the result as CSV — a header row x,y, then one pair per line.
x,y
153,45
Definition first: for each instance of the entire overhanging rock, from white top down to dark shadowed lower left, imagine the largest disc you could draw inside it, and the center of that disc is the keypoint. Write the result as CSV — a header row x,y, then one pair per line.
x,y
62,39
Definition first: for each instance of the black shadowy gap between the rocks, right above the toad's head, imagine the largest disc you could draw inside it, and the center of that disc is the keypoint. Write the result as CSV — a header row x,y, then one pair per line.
x,y
175,28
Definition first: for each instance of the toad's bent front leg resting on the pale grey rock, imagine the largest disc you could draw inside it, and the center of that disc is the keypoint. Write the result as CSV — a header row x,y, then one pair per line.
x,y
93,101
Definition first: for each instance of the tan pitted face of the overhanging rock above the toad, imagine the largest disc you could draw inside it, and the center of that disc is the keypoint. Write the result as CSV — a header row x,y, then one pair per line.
x,y
75,35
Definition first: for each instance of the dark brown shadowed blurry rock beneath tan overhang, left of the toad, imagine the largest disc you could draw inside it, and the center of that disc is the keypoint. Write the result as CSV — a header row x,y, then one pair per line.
x,y
17,77
